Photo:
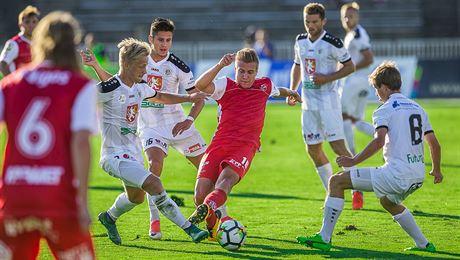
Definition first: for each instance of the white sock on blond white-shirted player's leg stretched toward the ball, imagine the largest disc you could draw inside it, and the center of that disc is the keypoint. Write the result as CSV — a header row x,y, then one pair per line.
x,y
169,209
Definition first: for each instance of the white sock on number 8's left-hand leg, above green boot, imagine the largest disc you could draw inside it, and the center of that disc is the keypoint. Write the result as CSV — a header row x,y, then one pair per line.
x,y
332,209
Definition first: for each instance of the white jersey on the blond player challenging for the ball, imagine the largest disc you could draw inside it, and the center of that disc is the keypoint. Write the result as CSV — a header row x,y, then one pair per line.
x,y
119,116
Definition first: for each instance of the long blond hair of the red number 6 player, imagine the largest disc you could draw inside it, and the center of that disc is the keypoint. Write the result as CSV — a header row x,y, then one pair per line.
x,y
55,38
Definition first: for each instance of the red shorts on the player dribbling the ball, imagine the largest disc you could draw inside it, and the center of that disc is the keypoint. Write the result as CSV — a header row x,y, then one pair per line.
x,y
214,160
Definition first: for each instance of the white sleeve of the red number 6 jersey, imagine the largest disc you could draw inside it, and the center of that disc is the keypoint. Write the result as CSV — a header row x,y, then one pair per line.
x,y
84,110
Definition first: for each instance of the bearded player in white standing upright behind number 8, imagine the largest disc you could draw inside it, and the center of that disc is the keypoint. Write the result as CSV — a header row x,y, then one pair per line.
x,y
317,54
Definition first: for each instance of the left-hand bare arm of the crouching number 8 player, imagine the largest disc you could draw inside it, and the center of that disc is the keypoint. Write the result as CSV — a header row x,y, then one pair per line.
x,y
374,146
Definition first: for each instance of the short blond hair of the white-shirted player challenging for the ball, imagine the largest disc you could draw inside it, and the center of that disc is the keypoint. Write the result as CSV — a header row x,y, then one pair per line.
x,y
132,49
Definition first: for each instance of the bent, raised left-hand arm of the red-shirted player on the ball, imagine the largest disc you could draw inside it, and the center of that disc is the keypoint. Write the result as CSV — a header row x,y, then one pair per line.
x,y
205,82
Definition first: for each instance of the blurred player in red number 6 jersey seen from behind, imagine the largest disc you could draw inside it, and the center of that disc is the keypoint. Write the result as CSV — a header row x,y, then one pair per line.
x,y
49,109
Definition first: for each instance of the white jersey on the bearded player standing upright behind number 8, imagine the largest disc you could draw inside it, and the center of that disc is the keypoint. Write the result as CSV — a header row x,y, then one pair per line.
x,y
320,56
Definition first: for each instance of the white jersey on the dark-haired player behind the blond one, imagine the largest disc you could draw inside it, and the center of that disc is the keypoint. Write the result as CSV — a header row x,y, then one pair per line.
x,y
167,76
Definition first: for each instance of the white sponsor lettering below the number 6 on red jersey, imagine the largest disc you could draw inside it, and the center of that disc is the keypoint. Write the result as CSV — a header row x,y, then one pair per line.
x,y
34,175
